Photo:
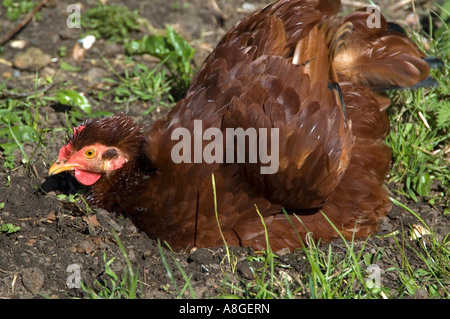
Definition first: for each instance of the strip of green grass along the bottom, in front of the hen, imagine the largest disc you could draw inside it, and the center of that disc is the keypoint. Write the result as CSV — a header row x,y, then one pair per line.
x,y
346,270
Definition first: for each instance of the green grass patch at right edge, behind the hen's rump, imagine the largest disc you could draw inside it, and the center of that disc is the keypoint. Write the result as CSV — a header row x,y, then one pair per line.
x,y
420,132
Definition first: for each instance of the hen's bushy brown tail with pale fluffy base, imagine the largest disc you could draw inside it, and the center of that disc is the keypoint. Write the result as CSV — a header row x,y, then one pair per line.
x,y
382,58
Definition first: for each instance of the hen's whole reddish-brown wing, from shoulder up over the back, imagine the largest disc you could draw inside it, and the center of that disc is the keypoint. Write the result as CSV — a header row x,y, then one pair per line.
x,y
251,81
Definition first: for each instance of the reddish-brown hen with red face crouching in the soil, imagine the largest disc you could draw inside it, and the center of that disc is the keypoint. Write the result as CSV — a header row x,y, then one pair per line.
x,y
293,71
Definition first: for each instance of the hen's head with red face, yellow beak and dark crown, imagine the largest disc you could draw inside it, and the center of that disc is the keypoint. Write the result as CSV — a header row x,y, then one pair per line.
x,y
99,147
